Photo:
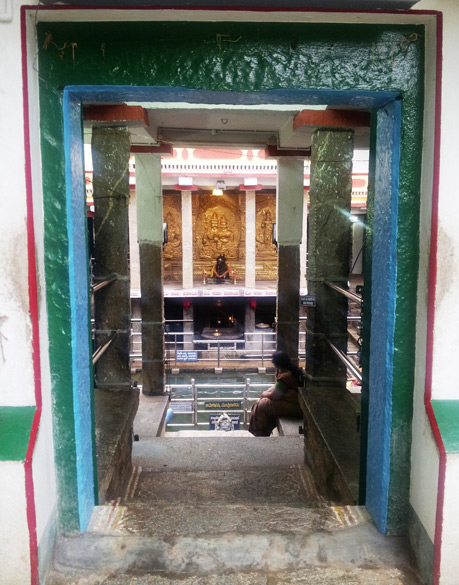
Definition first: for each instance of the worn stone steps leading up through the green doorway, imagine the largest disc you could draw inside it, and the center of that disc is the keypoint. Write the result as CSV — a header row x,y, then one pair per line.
x,y
227,511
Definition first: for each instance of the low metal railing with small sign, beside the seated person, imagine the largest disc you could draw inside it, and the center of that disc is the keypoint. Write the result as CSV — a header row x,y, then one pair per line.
x,y
192,405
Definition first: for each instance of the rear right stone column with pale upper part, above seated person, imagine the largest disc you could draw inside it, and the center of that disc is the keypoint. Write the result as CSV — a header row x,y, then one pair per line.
x,y
290,188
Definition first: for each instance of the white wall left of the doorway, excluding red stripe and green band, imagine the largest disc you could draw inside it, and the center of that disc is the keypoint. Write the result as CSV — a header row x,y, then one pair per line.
x,y
17,385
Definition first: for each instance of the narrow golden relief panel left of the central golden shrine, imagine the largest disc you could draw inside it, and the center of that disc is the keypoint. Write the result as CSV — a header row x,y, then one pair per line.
x,y
172,251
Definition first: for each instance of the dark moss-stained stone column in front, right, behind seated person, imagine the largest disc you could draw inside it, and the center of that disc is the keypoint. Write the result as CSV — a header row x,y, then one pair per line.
x,y
329,252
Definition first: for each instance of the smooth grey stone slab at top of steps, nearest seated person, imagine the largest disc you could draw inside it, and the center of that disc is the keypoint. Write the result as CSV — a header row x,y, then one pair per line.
x,y
218,453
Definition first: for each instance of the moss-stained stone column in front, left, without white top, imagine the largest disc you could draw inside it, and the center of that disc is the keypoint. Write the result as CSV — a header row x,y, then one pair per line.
x,y
110,158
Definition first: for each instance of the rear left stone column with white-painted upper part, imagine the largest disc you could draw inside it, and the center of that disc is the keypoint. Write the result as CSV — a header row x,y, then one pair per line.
x,y
150,234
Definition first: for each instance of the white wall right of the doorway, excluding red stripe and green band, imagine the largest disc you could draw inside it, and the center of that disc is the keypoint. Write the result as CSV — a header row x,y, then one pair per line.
x,y
445,382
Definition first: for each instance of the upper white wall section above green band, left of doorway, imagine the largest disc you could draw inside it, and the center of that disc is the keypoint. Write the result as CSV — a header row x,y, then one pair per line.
x,y
16,374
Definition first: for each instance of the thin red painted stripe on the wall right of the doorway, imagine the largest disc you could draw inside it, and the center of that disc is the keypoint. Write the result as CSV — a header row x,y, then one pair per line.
x,y
431,308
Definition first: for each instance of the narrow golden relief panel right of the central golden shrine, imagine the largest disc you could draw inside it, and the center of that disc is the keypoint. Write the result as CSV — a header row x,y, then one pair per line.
x,y
266,256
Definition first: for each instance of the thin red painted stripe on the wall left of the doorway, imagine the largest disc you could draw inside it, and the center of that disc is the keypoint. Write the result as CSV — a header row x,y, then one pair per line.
x,y
33,310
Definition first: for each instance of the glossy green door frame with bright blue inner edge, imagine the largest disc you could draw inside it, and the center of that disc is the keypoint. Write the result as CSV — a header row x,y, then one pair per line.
x,y
284,63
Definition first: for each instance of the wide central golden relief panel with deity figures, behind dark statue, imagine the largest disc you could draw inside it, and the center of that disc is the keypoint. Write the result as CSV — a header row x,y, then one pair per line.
x,y
219,229
